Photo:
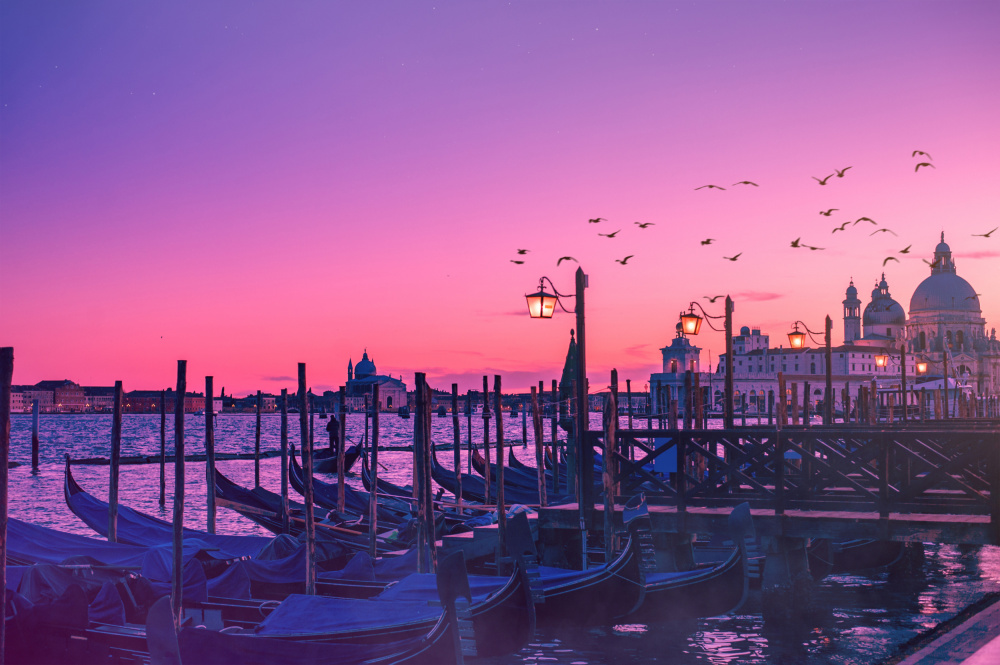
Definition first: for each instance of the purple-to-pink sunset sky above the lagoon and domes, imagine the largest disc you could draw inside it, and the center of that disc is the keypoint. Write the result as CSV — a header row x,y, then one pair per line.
x,y
251,185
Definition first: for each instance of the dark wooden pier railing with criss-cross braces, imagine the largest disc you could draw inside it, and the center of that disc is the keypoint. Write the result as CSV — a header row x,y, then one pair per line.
x,y
886,470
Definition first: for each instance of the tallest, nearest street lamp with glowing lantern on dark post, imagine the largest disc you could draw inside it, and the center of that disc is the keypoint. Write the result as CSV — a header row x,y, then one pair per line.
x,y
541,305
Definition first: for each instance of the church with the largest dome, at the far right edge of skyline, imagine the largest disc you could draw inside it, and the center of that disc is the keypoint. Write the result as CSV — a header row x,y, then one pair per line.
x,y
946,319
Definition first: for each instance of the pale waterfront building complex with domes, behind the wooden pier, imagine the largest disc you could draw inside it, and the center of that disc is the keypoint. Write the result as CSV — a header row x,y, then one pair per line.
x,y
945,322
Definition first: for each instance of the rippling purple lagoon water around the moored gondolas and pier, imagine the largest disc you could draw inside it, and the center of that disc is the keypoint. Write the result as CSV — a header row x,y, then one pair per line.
x,y
851,618
